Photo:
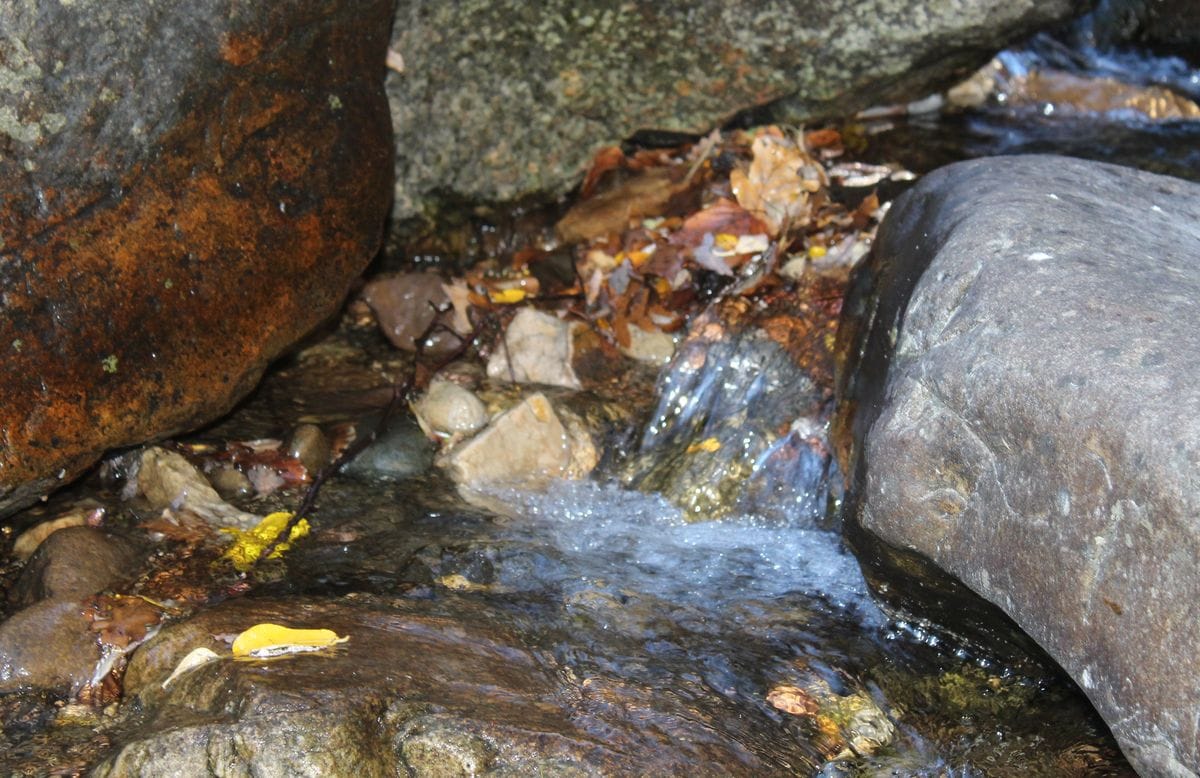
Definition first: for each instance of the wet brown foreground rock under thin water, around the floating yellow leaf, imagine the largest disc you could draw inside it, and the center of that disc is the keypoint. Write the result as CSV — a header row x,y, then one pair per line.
x,y
383,701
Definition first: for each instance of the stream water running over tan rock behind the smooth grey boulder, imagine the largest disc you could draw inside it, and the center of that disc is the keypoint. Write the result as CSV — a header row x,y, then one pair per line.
x,y
1087,112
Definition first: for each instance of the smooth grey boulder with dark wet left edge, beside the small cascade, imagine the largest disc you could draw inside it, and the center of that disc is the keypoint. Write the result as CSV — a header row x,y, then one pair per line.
x,y
1036,433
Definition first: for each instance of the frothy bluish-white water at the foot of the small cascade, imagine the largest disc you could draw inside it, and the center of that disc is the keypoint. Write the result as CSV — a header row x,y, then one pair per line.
x,y
643,542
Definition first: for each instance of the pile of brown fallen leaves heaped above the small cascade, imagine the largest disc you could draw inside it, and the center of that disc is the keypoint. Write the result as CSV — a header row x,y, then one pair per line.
x,y
658,235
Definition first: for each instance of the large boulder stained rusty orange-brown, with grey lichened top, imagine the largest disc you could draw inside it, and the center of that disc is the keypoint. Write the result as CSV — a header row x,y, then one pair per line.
x,y
185,190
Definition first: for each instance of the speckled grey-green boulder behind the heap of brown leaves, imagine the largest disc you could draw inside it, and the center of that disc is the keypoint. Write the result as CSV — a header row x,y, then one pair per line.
x,y
503,99
